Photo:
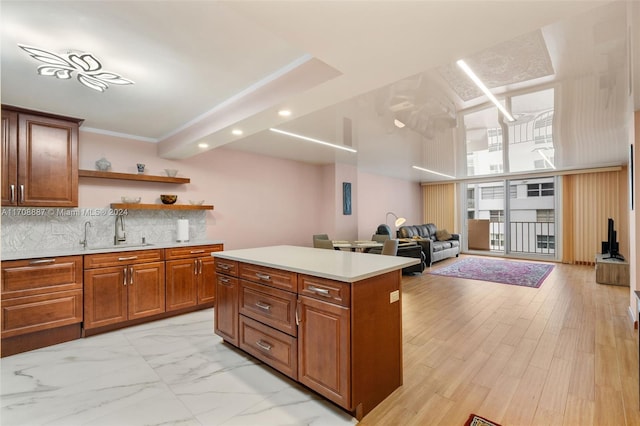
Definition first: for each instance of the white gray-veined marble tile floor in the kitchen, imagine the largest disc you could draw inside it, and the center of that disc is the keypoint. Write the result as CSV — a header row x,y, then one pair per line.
x,y
170,372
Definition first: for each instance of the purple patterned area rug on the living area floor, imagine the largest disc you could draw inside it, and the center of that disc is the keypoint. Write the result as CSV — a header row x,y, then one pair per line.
x,y
525,274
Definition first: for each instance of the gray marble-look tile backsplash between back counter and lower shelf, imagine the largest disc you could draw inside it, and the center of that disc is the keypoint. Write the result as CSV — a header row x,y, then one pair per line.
x,y
50,228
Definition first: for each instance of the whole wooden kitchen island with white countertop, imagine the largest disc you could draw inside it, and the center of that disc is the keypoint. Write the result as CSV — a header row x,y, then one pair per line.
x,y
331,320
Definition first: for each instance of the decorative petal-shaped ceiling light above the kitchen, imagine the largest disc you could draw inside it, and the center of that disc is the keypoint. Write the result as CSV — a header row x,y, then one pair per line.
x,y
87,67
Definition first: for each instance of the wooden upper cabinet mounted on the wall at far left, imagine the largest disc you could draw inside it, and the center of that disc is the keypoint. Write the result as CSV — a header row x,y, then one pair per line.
x,y
39,159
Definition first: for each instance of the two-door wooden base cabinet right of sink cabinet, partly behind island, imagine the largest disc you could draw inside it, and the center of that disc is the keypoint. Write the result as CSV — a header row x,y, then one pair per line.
x,y
190,276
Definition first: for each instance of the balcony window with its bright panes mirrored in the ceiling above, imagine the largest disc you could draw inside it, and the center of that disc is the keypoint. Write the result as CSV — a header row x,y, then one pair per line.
x,y
516,216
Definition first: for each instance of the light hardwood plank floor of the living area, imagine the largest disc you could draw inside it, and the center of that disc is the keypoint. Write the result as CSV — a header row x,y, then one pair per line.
x,y
563,354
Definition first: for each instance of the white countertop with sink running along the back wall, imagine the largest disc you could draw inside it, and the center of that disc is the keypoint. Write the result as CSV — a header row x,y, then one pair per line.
x,y
35,254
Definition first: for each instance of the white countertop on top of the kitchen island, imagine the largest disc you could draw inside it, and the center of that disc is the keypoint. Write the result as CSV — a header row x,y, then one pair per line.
x,y
337,265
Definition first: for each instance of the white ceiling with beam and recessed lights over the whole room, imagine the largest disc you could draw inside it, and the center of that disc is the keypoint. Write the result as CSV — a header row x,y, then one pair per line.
x,y
202,68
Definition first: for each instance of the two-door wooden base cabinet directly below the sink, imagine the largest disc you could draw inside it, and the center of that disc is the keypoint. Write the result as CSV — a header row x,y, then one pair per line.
x,y
123,286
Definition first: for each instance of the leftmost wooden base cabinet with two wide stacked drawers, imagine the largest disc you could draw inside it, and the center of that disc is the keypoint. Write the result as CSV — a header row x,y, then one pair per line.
x,y
41,302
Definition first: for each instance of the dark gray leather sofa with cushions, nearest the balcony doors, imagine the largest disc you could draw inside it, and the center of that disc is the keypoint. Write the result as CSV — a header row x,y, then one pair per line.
x,y
434,249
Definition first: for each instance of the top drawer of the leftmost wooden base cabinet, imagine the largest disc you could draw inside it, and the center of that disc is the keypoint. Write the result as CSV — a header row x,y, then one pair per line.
x,y
38,276
